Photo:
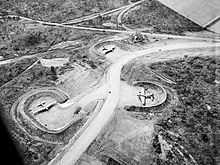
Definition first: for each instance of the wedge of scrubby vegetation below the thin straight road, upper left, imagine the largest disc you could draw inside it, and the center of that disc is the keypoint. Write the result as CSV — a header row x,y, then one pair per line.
x,y
19,39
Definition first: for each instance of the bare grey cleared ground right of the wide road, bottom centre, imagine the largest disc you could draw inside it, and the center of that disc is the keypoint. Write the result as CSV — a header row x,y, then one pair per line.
x,y
124,139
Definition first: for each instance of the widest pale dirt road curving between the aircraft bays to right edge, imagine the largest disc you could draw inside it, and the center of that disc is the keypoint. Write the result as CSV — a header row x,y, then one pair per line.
x,y
74,150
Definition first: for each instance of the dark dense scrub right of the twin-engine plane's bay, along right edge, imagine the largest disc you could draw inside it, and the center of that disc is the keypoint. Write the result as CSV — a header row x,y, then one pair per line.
x,y
197,117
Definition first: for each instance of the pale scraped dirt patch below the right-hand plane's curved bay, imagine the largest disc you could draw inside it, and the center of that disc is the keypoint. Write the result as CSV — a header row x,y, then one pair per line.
x,y
131,137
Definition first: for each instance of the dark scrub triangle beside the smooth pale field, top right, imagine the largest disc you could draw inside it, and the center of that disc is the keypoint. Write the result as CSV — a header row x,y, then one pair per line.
x,y
159,19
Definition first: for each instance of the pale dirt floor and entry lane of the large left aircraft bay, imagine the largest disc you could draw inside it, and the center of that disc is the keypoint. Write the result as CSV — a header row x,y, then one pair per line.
x,y
61,115
